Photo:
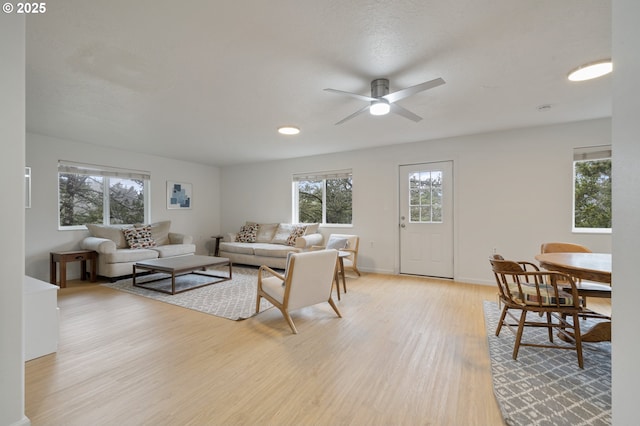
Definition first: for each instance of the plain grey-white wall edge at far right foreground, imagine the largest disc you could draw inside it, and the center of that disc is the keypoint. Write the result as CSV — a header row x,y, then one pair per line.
x,y
626,205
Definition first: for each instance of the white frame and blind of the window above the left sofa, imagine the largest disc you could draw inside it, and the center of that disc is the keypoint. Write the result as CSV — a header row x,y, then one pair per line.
x,y
105,172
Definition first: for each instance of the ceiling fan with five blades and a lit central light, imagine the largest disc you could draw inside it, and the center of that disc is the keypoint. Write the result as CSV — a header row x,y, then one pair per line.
x,y
382,102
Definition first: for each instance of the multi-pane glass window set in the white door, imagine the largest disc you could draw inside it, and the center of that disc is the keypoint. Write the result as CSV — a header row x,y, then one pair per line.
x,y
425,197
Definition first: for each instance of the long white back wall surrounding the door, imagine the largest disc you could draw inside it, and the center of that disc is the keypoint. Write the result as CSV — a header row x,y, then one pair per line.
x,y
513,191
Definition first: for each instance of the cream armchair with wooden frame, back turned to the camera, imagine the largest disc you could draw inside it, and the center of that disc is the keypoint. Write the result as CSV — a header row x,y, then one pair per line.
x,y
307,281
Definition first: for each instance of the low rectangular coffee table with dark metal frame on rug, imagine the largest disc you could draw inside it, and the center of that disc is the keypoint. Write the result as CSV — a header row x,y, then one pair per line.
x,y
181,265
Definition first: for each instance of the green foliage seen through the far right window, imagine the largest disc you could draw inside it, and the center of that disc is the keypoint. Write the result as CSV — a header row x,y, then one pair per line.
x,y
593,194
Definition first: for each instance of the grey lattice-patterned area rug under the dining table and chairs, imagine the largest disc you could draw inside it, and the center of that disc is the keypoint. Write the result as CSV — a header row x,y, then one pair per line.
x,y
545,386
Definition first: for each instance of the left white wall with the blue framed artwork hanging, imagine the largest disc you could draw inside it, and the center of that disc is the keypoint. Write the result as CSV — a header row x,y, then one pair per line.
x,y
42,234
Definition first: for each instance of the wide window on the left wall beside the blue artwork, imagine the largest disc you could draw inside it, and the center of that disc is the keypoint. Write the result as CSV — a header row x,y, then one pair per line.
x,y
97,194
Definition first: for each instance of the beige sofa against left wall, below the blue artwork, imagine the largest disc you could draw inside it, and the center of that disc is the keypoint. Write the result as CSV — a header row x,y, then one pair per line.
x,y
115,255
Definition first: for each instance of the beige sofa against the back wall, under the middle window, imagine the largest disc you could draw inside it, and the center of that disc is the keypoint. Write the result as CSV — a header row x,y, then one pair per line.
x,y
268,243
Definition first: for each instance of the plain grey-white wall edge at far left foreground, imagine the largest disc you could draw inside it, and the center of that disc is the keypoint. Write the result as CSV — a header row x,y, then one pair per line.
x,y
12,122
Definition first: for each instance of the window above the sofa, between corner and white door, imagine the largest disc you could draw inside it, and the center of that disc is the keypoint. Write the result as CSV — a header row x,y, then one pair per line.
x,y
323,198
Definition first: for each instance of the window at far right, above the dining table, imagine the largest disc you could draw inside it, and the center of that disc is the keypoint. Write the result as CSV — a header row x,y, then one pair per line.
x,y
592,189
